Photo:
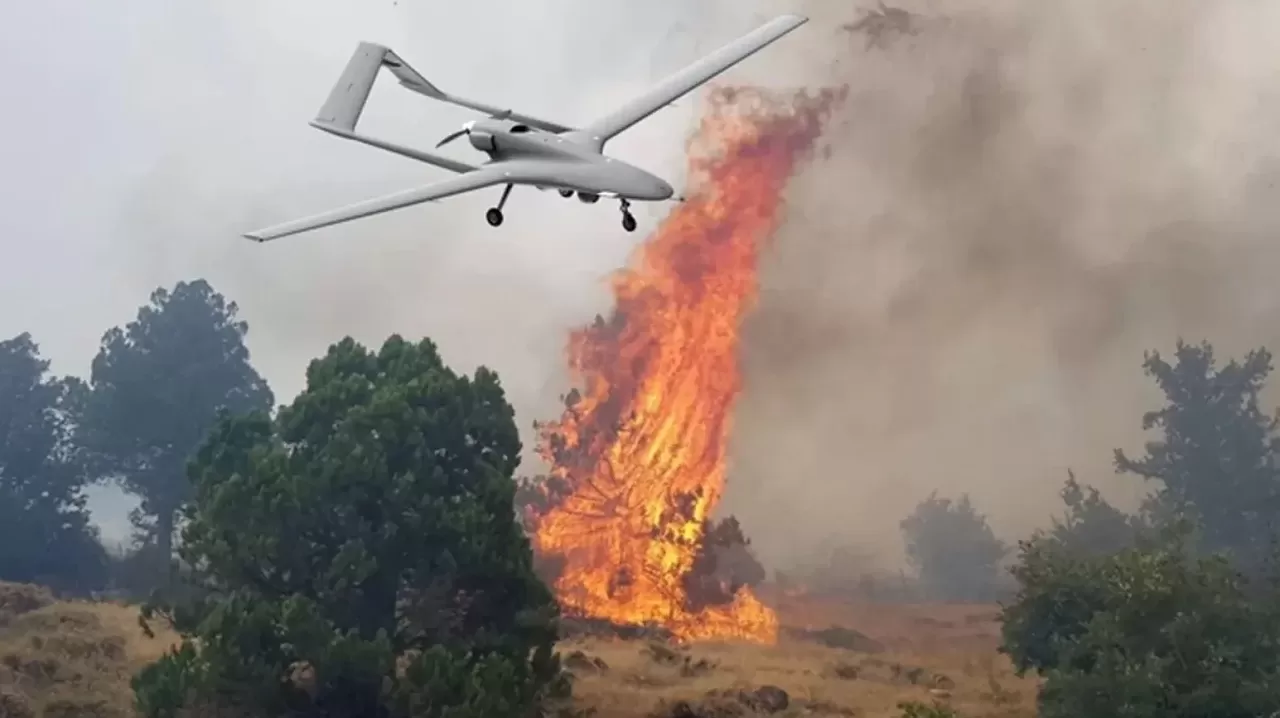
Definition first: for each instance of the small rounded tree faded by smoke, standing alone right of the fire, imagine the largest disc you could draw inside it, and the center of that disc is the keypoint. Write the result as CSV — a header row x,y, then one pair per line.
x,y
954,550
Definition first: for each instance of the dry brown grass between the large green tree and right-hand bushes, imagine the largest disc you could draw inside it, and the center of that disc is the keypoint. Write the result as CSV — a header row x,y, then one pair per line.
x,y
934,655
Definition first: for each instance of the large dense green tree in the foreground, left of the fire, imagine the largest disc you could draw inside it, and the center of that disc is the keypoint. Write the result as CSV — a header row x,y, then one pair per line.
x,y
363,554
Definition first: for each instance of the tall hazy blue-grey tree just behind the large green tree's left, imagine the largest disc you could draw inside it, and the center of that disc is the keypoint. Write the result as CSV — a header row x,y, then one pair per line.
x,y
157,388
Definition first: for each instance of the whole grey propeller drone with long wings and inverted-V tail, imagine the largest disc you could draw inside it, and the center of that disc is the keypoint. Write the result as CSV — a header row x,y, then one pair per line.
x,y
523,149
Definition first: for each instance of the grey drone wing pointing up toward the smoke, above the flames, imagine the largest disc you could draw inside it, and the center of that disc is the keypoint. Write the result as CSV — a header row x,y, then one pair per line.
x,y
689,79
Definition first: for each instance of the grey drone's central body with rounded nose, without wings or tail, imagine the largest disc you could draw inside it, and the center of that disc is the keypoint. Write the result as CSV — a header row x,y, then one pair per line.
x,y
563,162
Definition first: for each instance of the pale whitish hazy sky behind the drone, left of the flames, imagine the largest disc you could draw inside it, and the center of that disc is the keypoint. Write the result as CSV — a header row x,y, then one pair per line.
x,y
143,138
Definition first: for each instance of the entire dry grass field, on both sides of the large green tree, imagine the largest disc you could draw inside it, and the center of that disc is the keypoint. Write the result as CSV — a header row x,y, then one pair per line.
x,y
76,660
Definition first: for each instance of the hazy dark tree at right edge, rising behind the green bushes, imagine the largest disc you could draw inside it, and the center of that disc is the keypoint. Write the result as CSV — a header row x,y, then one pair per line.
x,y
1215,460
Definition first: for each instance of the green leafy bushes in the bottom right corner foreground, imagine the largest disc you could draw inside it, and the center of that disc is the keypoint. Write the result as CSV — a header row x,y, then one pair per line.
x,y
1148,632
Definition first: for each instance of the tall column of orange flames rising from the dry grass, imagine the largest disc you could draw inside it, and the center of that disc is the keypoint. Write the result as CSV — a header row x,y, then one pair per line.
x,y
641,451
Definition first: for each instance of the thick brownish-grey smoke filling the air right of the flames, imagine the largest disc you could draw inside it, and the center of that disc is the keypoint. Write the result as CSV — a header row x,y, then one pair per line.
x,y
1020,199
